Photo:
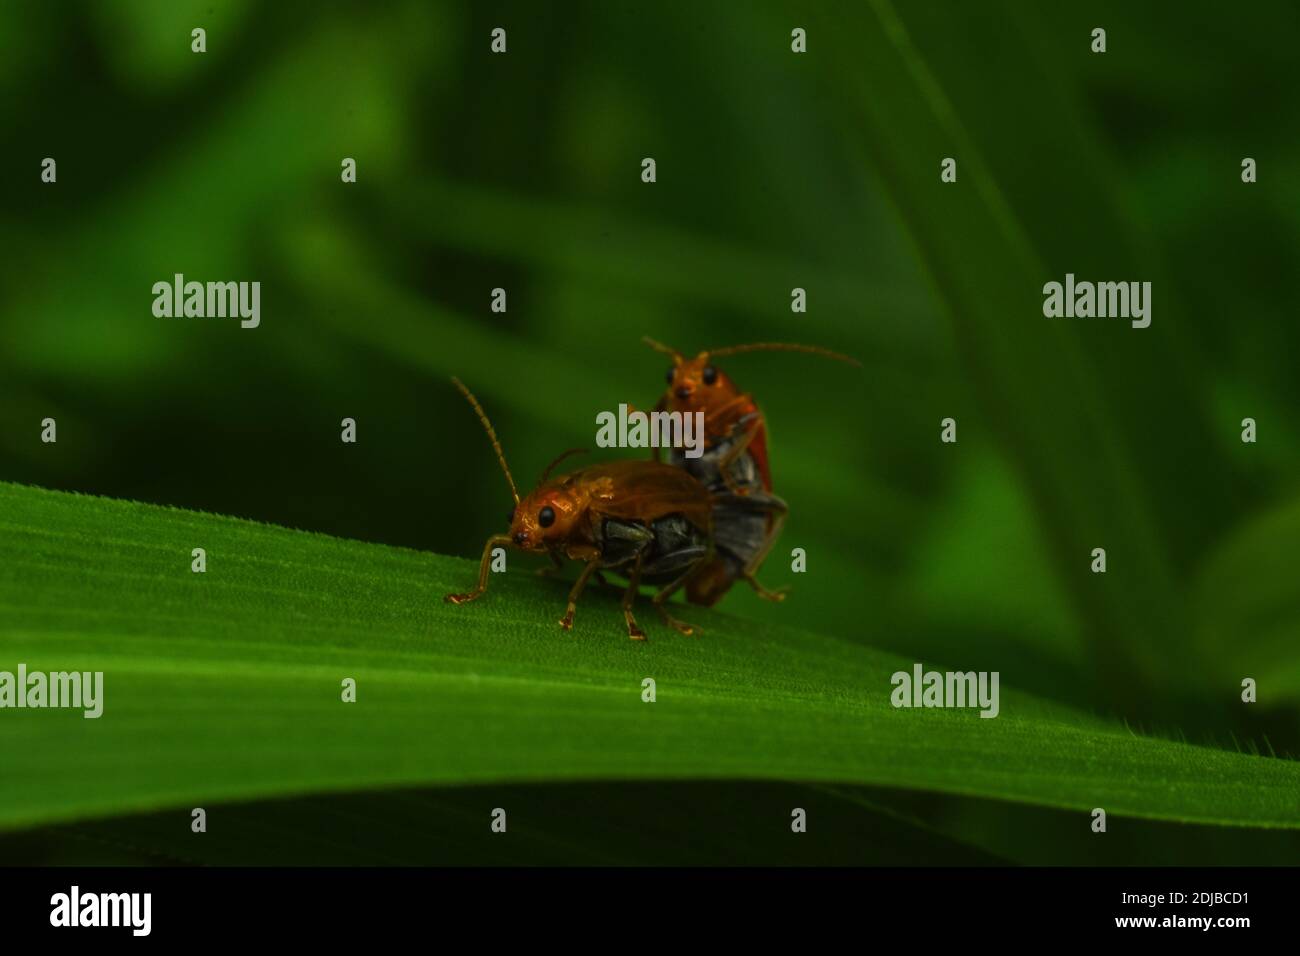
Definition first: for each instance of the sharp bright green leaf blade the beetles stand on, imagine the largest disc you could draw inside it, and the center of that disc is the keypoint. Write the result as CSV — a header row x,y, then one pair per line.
x,y
227,686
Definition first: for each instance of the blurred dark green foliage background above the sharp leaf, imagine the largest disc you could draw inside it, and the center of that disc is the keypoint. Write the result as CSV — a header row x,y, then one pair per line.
x,y
775,171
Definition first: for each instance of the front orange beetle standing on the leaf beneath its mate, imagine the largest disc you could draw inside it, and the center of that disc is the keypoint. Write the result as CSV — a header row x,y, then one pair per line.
x,y
645,521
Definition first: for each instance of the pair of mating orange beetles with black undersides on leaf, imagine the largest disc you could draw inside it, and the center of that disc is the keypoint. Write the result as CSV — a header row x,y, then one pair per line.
x,y
699,524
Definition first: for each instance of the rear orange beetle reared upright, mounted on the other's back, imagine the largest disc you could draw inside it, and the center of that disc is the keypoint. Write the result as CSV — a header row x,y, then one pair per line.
x,y
735,466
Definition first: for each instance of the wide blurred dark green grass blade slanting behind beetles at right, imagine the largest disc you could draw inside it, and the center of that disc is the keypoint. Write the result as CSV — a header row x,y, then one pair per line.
x,y
1060,396
